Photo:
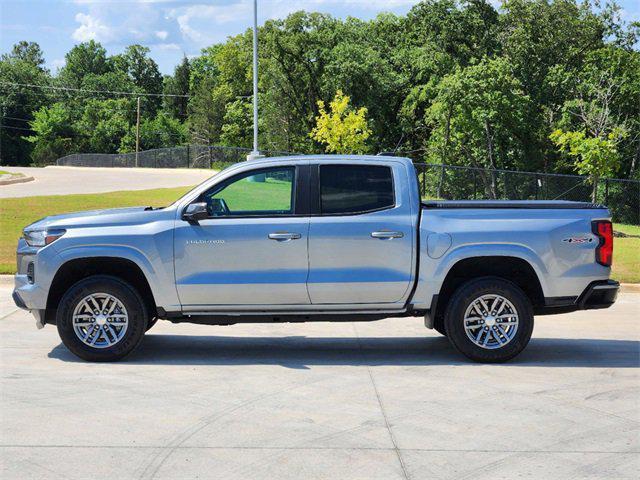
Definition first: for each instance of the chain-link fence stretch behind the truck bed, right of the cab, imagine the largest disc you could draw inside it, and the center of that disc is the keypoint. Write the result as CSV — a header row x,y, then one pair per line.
x,y
449,182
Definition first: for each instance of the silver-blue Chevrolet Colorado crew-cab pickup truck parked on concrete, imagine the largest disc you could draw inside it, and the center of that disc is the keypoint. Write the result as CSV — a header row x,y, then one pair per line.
x,y
315,238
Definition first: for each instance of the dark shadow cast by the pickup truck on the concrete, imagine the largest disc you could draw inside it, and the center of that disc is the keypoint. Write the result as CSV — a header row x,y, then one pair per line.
x,y
301,352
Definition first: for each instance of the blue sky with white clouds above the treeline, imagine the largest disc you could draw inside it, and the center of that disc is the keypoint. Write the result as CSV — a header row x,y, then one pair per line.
x,y
170,28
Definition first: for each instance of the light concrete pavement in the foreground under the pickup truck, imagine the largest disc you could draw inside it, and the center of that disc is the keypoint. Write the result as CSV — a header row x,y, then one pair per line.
x,y
382,400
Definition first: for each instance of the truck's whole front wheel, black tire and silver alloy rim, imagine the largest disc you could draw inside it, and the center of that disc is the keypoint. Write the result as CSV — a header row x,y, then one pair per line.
x,y
101,318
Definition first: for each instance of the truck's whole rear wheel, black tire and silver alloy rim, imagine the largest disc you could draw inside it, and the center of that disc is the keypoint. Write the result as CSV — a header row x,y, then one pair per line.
x,y
489,320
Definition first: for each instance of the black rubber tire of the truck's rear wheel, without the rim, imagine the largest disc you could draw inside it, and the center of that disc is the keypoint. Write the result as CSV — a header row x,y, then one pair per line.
x,y
462,299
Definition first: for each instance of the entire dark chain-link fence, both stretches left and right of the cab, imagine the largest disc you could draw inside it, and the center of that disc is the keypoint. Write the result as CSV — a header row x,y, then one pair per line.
x,y
436,181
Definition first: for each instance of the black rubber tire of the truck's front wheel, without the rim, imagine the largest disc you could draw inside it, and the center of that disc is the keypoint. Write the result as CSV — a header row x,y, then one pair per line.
x,y
126,294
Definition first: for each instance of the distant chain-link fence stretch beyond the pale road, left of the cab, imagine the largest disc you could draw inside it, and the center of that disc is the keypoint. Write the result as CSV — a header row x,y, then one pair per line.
x,y
189,156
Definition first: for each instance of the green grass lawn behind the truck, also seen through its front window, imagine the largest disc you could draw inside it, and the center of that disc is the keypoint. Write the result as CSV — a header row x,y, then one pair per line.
x,y
15,213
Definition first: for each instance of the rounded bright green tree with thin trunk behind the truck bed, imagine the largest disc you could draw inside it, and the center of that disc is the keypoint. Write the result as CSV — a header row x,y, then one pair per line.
x,y
479,116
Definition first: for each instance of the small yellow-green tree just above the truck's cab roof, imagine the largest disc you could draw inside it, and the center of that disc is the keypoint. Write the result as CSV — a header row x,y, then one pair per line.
x,y
343,129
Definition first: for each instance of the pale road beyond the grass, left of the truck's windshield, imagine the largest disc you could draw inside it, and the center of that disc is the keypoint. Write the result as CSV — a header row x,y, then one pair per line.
x,y
68,180
